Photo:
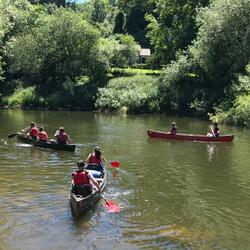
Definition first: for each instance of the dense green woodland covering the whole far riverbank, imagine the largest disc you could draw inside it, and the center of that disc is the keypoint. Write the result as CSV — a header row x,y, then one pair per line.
x,y
59,54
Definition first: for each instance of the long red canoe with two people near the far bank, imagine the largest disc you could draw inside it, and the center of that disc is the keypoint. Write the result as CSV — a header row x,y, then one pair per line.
x,y
178,136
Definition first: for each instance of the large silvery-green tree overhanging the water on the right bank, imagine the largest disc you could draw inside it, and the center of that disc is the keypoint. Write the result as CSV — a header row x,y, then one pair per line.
x,y
199,79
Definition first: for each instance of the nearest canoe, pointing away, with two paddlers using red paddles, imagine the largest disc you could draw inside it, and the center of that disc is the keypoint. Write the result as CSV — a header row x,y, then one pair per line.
x,y
79,204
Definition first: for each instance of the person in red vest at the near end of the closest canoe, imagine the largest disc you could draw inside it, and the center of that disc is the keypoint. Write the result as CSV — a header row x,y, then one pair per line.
x,y
83,181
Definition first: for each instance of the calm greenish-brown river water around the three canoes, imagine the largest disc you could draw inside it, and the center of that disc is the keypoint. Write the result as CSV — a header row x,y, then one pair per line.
x,y
172,194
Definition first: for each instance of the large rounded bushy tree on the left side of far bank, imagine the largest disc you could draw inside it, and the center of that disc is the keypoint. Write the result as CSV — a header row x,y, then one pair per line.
x,y
62,48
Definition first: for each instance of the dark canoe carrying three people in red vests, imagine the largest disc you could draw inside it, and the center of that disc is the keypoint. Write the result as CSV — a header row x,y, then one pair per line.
x,y
53,145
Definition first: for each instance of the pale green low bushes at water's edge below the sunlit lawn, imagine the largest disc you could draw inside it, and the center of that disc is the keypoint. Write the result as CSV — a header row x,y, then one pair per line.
x,y
137,94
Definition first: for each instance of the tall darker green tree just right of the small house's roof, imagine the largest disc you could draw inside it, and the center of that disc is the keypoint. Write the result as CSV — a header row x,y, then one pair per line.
x,y
172,27
